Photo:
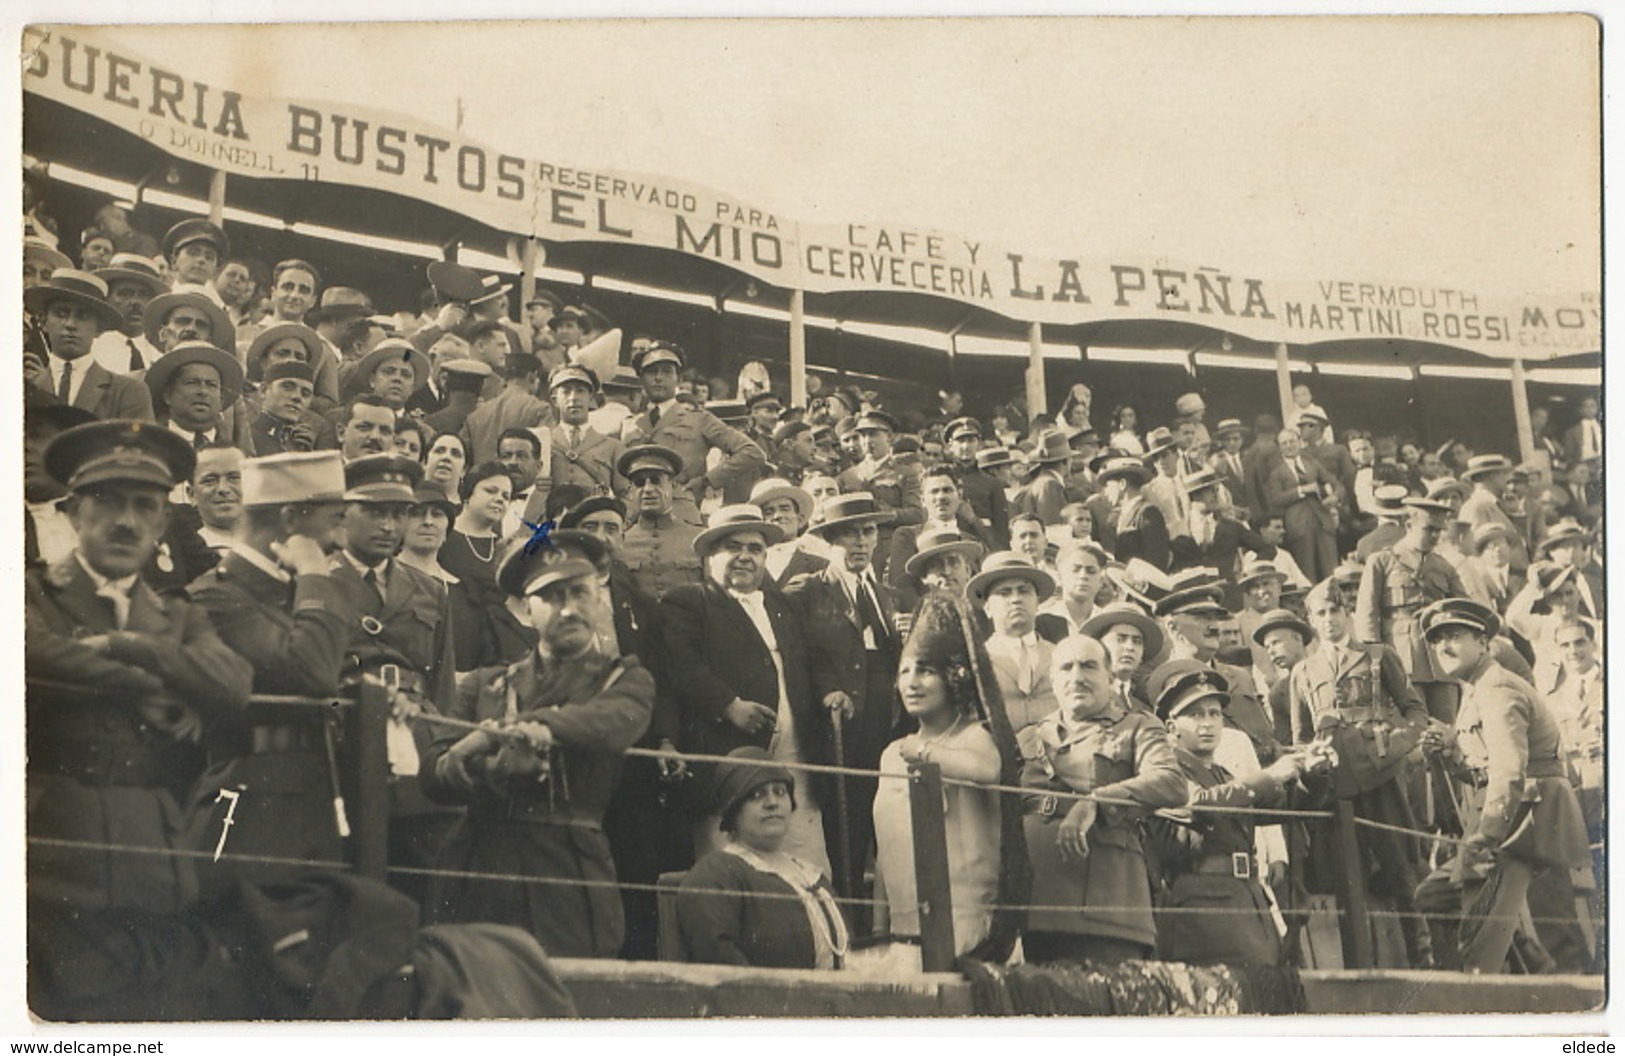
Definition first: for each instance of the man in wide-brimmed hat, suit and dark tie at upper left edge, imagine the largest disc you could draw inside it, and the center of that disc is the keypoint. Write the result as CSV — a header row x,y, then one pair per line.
x,y
72,309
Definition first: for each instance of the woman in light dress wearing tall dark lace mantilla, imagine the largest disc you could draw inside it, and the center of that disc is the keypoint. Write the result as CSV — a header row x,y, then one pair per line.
x,y
947,685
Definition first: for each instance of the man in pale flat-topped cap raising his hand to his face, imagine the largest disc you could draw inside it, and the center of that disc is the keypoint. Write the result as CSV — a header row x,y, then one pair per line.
x,y
275,604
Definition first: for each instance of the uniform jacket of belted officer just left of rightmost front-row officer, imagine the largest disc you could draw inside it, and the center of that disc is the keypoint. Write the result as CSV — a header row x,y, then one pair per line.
x,y
1361,699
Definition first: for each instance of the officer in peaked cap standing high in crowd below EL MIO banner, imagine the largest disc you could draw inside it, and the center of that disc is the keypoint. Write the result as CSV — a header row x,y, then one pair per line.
x,y
693,433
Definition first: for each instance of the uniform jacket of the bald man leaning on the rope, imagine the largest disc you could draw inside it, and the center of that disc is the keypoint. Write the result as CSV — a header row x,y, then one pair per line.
x,y
1119,756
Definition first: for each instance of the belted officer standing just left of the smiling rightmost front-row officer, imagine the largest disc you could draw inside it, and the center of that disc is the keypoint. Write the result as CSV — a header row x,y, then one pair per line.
x,y
1363,706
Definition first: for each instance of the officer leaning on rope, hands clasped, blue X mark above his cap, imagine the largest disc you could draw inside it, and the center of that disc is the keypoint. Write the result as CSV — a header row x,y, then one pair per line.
x,y
537,786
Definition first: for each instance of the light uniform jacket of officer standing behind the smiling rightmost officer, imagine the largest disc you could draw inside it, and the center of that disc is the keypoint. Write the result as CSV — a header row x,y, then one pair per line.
x,y
1397,586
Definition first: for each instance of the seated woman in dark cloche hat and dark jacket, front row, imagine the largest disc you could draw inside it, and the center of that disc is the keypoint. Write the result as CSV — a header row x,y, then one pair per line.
x,y
750,902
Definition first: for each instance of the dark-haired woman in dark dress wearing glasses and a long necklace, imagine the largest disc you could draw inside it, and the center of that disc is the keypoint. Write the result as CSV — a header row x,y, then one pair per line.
x,y
485,631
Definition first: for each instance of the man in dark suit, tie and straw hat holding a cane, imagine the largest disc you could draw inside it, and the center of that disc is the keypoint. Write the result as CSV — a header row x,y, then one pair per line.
x,y
854,643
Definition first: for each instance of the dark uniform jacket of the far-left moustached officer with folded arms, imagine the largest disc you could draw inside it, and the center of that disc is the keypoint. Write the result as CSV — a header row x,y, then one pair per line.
x,y
105,761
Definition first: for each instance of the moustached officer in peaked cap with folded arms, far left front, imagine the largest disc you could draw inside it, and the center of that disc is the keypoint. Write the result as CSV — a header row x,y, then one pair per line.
x,y
124,682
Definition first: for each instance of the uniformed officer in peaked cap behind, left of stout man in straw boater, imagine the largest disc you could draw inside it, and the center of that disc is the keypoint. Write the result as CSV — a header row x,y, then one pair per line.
x,y
659,547
